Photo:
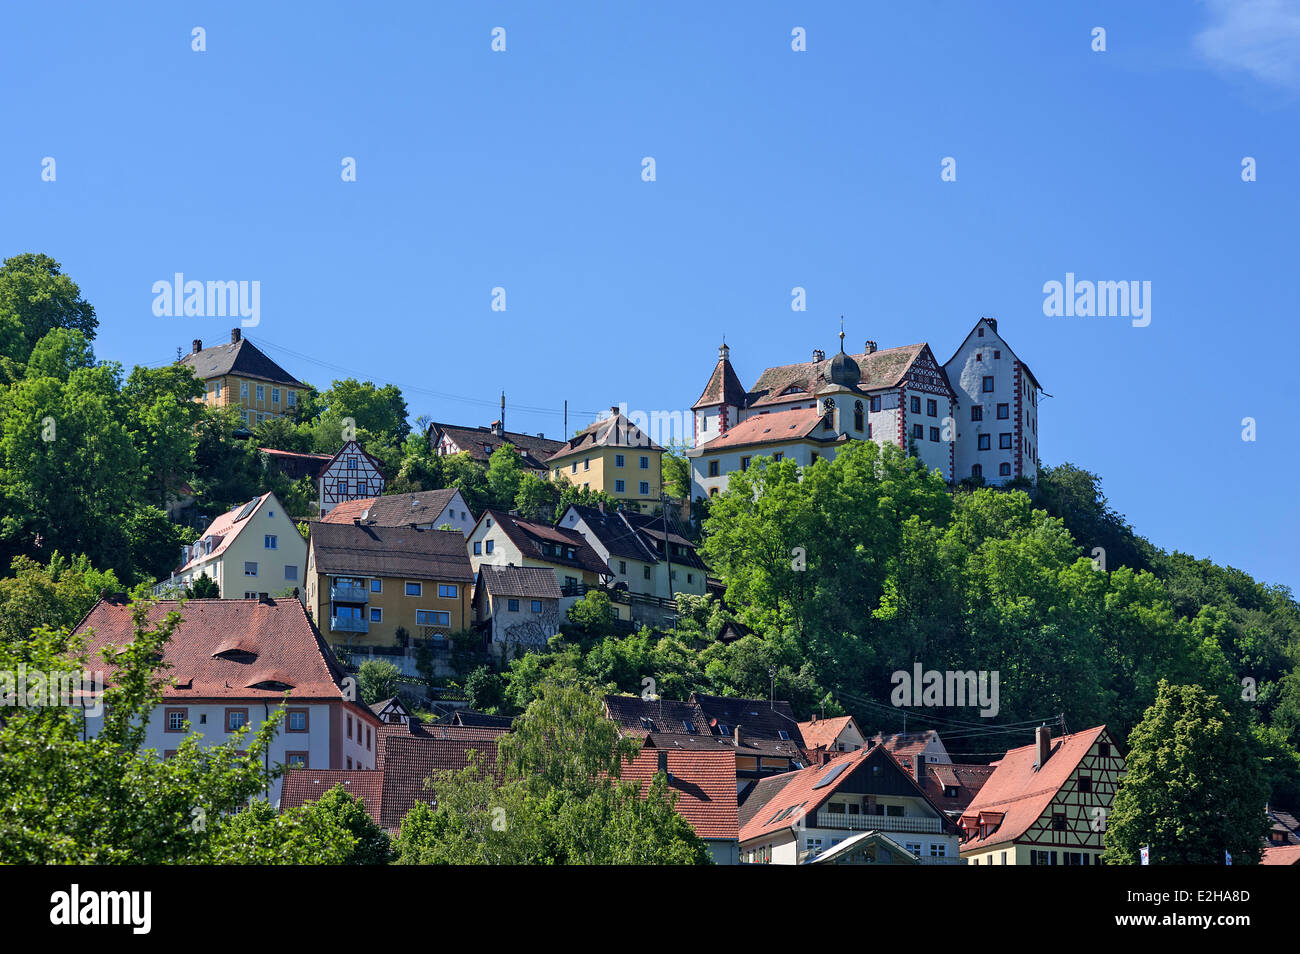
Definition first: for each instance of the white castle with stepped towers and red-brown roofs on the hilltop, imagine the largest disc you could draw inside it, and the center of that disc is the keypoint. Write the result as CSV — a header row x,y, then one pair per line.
x,y
976,417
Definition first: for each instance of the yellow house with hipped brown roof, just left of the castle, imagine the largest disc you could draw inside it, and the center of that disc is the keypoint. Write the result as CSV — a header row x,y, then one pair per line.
x,y
613,456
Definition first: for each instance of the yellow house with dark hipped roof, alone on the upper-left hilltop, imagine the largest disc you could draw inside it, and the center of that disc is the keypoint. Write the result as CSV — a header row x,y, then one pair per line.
x,y
240,375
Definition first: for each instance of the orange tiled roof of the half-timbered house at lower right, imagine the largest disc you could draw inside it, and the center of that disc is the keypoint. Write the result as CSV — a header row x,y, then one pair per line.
x,y
1020,793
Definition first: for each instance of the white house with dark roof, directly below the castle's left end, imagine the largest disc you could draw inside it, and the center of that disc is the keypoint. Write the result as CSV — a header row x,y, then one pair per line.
x,y
649,563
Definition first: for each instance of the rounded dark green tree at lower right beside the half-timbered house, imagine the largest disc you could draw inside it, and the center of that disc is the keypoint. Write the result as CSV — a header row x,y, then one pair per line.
x,y
1191,790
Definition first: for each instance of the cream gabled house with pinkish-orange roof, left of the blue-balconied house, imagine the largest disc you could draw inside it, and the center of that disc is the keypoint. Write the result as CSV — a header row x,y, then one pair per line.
x,y
250,552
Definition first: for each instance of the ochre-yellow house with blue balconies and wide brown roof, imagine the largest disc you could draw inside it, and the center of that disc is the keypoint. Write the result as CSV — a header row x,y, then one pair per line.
x,y
365,583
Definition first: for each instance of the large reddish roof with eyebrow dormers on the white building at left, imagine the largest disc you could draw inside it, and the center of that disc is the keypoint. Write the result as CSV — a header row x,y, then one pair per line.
x,y
231,649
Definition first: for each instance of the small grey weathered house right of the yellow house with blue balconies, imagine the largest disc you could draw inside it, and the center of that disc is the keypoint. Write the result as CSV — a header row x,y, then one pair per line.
x,y
518,609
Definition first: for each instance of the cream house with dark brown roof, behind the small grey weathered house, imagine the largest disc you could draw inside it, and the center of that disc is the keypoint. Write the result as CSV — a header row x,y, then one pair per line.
x,y
506,540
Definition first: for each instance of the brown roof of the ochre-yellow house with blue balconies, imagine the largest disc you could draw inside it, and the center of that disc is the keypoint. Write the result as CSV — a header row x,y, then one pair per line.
x,y
391,552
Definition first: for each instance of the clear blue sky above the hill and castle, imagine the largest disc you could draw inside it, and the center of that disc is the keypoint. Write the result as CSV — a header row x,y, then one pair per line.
x,y
821,170
